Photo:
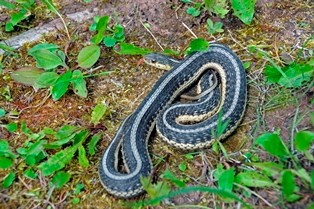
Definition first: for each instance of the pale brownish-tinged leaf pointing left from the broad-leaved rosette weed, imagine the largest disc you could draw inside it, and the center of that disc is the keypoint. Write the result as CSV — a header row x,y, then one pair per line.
x,y
27,75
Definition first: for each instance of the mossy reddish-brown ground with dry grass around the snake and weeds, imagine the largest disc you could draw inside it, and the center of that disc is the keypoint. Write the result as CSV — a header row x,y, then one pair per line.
x,y
281,27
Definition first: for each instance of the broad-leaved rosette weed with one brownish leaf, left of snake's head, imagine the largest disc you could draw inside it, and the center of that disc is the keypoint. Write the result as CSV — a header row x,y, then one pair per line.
x,y
48,58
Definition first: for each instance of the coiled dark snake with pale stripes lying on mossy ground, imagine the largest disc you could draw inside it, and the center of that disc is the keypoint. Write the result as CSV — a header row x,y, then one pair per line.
x,y
187,126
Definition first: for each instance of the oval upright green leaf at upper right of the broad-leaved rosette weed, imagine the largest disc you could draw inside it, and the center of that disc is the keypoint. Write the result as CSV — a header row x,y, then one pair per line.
x,y
88,56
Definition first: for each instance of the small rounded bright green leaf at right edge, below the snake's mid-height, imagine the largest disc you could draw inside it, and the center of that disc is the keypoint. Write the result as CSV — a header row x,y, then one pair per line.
x,y
303,140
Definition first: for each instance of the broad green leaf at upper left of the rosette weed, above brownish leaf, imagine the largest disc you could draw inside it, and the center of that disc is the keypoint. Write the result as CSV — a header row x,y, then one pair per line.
x,y
47,59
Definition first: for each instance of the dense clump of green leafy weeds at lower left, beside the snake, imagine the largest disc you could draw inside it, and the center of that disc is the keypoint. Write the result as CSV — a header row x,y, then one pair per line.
x,y
66,141
